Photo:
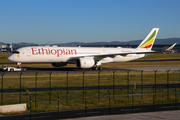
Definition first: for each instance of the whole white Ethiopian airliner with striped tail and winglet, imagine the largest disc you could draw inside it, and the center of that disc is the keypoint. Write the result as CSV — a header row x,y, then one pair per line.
x,y
84,57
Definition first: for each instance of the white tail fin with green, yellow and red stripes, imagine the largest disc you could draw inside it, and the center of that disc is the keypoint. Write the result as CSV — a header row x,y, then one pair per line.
x,y
148,42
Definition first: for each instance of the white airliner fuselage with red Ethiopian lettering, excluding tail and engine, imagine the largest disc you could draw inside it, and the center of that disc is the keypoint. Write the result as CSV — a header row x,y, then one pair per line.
x,y
63,54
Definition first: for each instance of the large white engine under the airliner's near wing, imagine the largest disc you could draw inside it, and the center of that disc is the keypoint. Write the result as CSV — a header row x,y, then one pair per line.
x,y
85,62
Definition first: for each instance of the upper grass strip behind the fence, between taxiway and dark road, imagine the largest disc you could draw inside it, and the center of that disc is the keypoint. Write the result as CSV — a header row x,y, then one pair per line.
x,y
90,79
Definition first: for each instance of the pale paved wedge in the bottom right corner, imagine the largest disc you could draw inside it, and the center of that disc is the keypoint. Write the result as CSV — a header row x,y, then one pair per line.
x,y
164,115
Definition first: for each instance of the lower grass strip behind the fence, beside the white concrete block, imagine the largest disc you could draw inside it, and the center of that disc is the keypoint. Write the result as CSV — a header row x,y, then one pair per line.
x,y
75,99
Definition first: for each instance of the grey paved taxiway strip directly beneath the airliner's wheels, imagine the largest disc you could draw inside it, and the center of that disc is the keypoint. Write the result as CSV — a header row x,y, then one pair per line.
x,y
105,69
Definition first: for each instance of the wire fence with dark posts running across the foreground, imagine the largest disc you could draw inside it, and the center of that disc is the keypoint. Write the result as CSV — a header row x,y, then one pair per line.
x,y
81,90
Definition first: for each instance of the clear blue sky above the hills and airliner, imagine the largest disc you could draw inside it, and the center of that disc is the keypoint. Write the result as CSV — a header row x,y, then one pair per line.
x,y
63,21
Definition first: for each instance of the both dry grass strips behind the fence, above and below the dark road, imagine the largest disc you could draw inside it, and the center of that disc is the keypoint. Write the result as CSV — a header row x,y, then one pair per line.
x,y
75,100
